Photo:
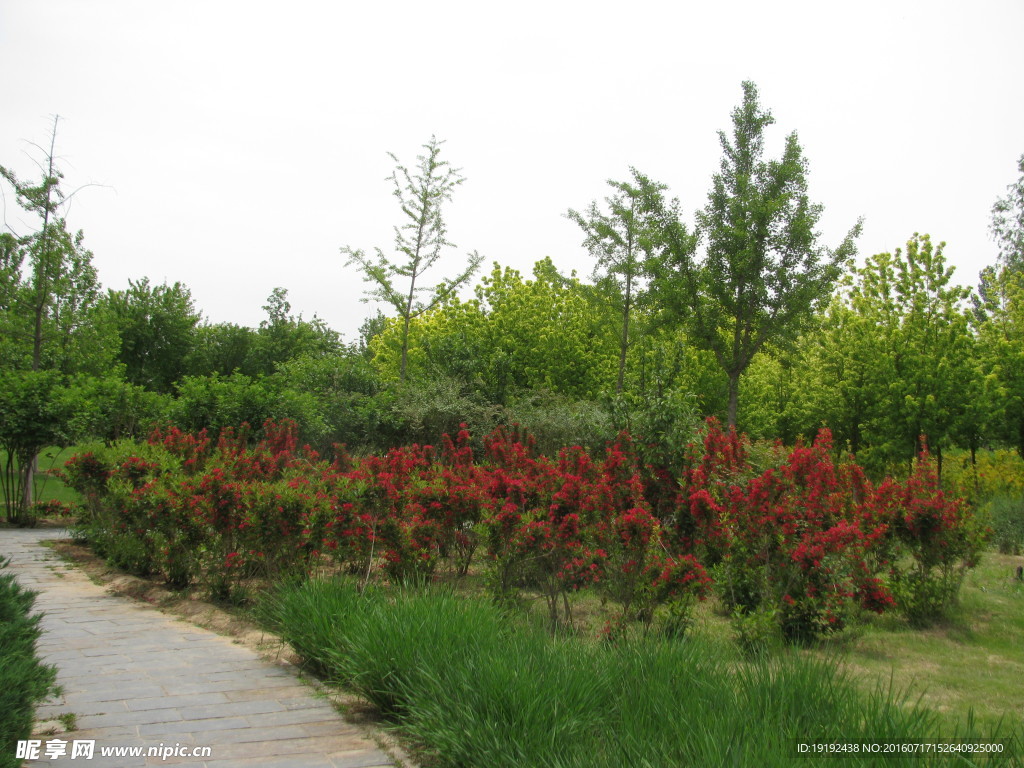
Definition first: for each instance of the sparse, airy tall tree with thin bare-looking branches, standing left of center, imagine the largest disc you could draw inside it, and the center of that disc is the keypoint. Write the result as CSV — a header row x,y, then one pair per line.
x,y
419,242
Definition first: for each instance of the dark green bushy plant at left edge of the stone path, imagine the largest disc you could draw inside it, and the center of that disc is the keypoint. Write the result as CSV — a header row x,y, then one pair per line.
x,y
24,679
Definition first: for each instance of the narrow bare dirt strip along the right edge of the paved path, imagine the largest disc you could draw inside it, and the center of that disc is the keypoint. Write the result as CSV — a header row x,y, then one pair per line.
x,y
191,609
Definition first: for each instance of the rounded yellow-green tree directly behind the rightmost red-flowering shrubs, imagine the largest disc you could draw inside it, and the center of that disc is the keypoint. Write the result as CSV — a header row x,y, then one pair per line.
x,y
900,357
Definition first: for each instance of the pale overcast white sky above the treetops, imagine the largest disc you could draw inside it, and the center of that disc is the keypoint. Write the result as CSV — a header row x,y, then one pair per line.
x,y
236,147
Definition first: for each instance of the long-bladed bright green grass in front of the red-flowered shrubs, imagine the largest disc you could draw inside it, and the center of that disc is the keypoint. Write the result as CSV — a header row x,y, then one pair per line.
x,y
475,687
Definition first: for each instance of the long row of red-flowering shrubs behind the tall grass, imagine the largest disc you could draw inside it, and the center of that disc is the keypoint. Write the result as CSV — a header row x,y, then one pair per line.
x,y
791,535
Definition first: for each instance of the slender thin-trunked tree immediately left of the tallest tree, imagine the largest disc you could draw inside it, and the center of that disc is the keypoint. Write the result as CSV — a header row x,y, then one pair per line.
x,y
622,241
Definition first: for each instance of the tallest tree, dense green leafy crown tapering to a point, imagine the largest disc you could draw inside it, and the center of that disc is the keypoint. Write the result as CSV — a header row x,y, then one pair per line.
x,y
764,274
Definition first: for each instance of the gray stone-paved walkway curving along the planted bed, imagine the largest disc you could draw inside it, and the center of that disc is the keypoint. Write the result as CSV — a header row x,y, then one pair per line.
x,y
136,677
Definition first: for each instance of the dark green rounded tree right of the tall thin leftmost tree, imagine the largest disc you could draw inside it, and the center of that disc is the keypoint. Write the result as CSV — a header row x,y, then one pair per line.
x,y
157,327
